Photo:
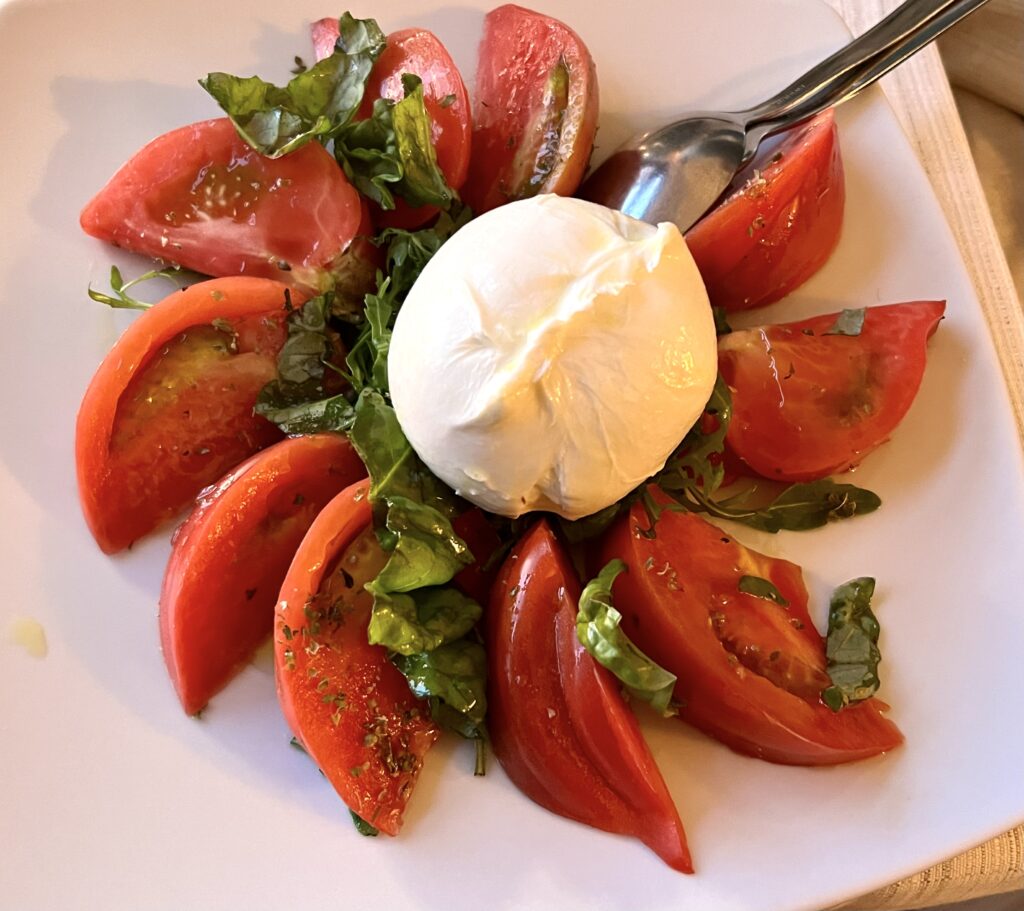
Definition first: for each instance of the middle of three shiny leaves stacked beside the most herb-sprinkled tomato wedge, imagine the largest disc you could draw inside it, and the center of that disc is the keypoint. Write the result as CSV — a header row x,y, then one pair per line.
x,y
420,621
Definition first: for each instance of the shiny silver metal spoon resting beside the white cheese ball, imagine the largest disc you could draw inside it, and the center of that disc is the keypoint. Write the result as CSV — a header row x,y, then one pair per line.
x,y
677,172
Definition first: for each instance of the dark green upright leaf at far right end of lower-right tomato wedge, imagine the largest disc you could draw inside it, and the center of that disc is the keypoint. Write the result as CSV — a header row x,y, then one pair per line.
x,y
852,648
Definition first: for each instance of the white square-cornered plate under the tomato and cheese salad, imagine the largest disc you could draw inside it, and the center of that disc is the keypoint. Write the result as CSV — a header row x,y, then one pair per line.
x,y
112,799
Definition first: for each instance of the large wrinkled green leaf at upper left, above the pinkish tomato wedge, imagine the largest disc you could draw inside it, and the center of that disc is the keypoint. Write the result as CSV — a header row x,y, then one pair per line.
x,y
316,105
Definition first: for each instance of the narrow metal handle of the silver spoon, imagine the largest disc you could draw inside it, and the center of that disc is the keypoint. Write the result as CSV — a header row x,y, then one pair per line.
x,y
910,28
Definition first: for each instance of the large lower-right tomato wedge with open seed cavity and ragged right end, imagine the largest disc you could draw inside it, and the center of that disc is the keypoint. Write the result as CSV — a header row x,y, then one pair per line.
x,y
750,671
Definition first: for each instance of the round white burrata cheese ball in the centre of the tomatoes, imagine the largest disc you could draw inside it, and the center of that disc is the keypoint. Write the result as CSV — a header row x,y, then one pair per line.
x,y
552,356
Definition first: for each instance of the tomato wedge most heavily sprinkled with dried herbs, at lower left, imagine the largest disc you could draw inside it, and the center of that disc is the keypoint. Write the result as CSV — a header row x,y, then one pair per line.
x,y
344,700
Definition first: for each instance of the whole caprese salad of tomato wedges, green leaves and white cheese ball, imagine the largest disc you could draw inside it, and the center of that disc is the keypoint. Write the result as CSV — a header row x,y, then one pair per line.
x,y
458,444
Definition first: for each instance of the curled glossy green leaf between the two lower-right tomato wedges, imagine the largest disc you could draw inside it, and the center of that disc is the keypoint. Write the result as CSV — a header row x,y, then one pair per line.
x,y
599,629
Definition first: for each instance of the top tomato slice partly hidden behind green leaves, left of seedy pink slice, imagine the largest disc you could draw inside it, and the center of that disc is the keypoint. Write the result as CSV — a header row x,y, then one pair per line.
x,y
420,53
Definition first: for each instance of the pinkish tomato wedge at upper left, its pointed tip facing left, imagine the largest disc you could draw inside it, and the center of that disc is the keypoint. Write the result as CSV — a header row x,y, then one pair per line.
x,y
200,197
